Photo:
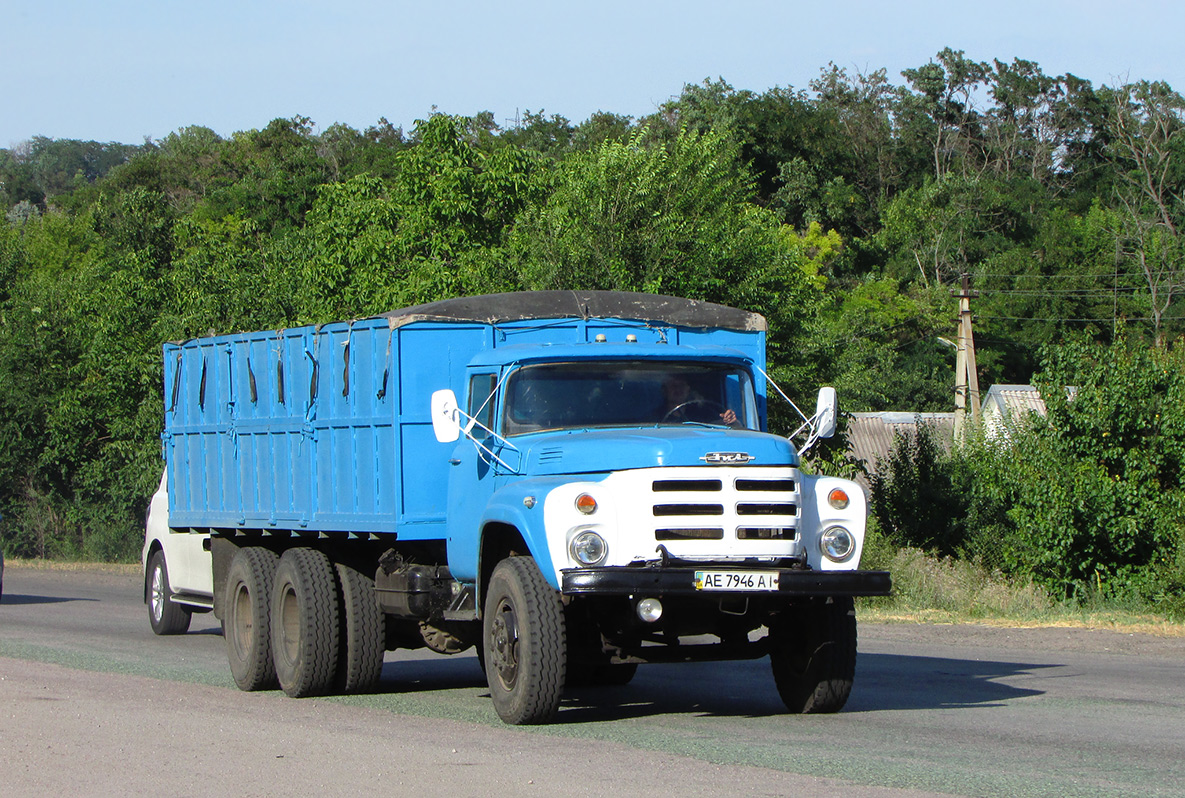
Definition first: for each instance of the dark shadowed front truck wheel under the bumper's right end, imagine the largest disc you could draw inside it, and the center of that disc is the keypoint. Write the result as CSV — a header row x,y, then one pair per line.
x,y
814,656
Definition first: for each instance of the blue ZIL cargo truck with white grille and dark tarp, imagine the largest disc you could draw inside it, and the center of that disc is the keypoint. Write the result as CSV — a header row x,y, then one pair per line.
x,y
574,483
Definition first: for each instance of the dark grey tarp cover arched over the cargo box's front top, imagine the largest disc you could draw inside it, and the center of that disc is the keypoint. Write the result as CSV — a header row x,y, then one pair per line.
x,y
498,309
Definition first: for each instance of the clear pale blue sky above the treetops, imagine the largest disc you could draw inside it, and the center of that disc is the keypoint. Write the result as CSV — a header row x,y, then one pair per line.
x,y
121,71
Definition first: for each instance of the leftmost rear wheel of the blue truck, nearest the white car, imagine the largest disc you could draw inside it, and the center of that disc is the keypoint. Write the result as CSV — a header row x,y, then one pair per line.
x,y
247,623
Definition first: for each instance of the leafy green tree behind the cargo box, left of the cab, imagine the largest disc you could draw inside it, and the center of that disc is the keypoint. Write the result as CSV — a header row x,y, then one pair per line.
x,y
425,235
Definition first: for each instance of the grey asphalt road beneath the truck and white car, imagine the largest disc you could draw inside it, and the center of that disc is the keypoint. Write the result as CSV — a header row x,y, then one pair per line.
x,y
93,704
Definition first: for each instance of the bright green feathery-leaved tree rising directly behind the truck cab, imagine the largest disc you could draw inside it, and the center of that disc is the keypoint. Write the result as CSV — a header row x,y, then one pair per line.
x,y
675,219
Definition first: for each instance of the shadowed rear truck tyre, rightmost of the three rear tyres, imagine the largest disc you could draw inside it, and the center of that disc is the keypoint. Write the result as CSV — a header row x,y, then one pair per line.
x,y
363,633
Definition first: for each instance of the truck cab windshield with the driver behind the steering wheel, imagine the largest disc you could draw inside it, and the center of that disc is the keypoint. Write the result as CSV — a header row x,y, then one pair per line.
x,y
610,394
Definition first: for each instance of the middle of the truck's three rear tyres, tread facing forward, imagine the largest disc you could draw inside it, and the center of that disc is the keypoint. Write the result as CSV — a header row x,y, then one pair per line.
x,y
305,629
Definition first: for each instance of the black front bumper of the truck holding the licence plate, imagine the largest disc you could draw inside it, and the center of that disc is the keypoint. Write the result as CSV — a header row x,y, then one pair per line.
x,y
682,580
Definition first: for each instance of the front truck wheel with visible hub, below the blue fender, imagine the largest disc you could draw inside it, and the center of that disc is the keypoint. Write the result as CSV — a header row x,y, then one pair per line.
x,y
524,643
